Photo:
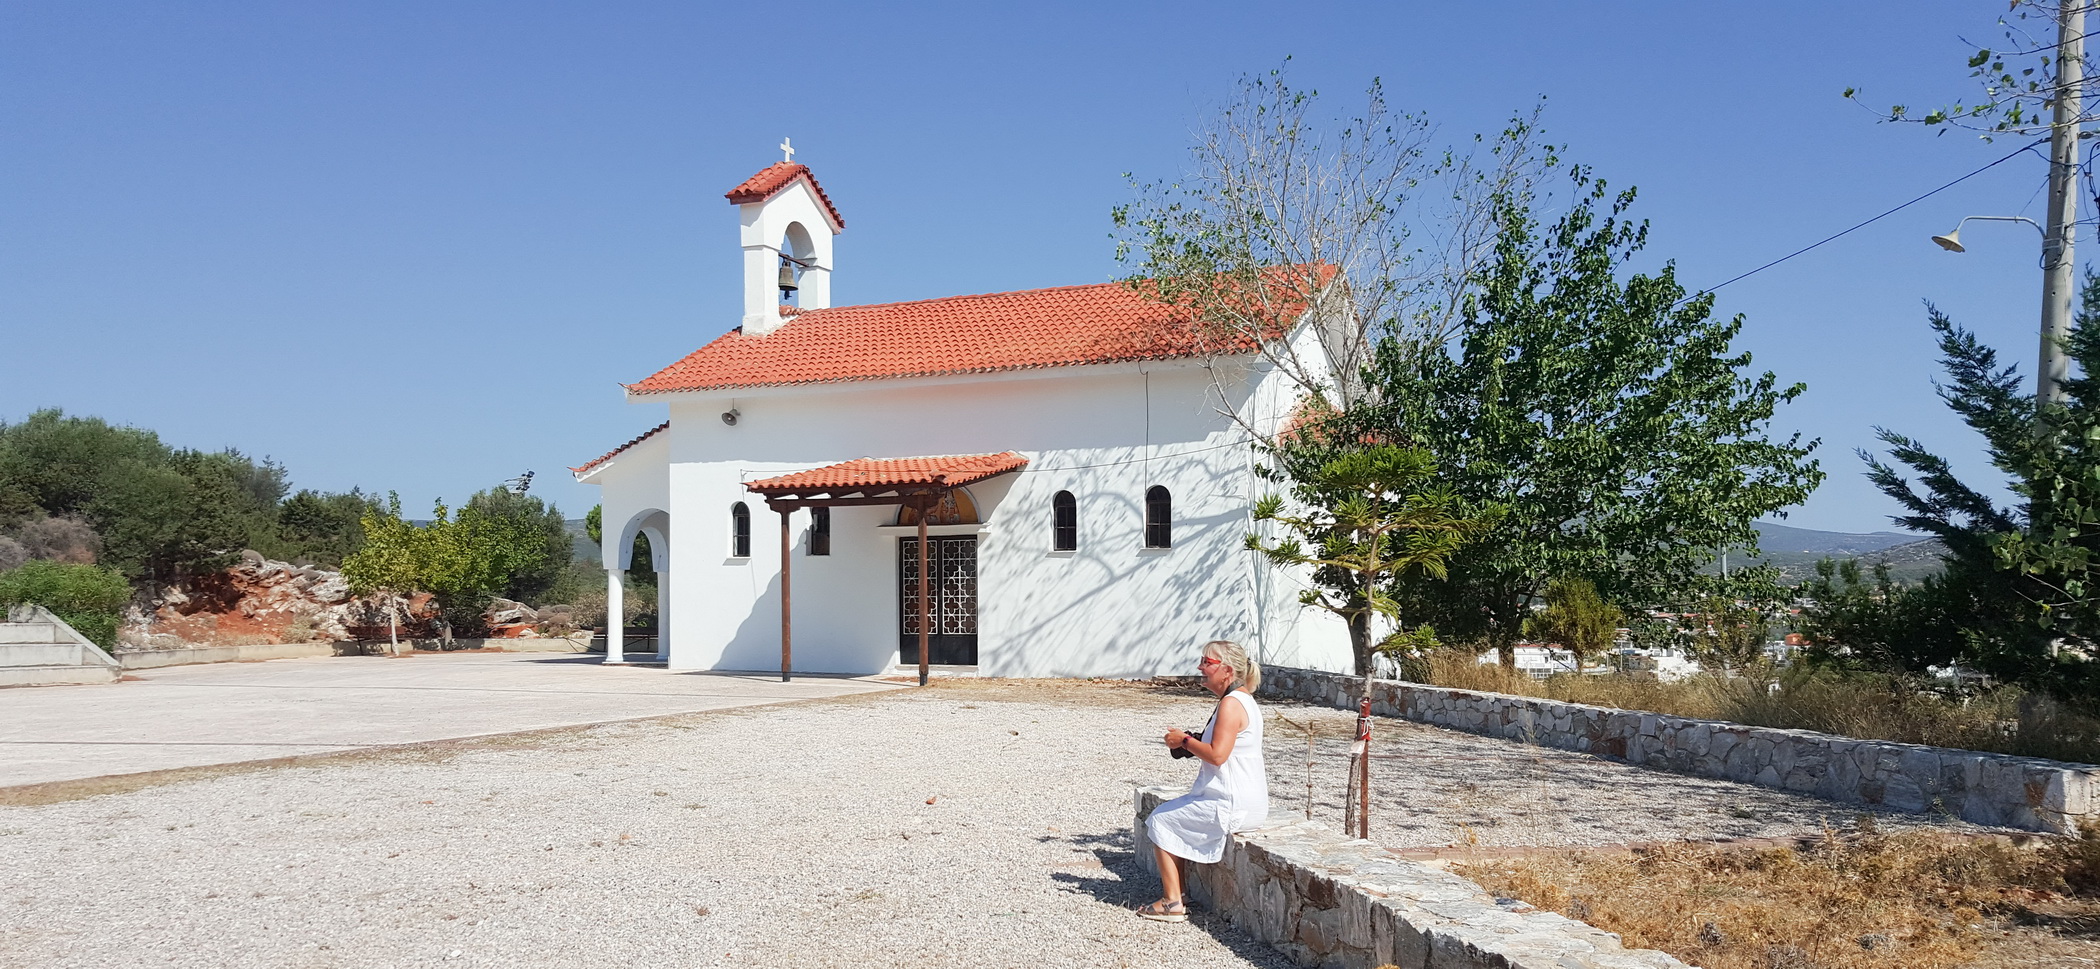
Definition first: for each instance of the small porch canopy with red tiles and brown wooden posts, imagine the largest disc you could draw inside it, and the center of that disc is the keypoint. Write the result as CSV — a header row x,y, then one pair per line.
x,y
908,482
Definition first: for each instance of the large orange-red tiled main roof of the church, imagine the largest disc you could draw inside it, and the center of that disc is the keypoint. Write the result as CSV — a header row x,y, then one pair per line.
x,y
957,335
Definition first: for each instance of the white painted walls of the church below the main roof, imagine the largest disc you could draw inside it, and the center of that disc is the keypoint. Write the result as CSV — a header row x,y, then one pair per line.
x,y
1112,609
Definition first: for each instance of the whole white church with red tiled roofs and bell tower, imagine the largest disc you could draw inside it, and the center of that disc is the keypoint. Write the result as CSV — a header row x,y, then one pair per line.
x,y
1078,466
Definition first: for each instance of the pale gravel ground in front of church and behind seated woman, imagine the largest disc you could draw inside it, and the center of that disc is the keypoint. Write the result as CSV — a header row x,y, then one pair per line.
x,y
967,825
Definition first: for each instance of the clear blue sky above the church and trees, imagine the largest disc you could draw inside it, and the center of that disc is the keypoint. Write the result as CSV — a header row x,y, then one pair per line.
x,y
417,247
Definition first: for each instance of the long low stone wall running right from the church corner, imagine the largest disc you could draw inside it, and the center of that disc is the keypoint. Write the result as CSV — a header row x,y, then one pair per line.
x,y
1977,787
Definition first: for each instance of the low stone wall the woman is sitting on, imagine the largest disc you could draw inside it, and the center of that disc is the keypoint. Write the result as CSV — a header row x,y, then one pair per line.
x,y
1341,903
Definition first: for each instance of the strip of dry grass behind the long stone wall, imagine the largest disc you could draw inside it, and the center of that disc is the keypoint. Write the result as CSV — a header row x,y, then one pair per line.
x,y
1849,705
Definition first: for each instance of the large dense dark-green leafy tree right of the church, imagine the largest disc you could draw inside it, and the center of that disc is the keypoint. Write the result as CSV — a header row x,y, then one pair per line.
x,y
1610,417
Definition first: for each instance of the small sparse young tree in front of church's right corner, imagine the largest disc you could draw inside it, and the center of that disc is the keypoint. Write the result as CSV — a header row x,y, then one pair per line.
x,y
1360,520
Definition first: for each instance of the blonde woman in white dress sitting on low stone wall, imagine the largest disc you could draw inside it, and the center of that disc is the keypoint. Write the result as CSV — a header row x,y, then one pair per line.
x,y
1232,787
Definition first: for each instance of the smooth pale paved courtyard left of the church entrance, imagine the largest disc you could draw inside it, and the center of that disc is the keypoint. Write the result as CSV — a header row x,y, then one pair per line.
x,y
247,712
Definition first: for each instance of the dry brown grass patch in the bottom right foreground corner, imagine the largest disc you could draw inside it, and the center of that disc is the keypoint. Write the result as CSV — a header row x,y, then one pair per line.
x,y
1916,901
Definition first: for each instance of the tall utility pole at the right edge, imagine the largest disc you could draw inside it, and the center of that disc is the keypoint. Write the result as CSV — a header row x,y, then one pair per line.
x,y
2061,232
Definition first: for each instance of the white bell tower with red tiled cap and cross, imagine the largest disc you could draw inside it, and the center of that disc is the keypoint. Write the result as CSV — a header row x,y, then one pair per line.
x,y
789,228
